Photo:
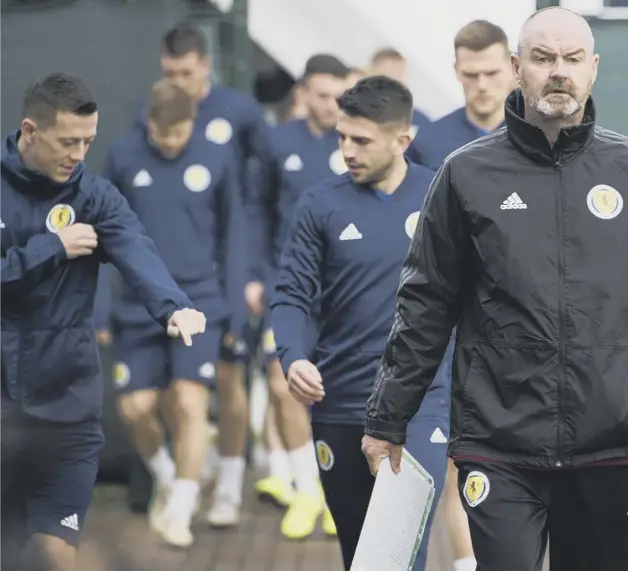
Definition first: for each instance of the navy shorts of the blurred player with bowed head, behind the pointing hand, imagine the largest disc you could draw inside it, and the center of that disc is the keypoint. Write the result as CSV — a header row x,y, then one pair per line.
x,y
153,360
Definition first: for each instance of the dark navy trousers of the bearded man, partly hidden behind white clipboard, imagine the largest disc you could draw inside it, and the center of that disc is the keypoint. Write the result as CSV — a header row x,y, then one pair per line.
x,y
348,483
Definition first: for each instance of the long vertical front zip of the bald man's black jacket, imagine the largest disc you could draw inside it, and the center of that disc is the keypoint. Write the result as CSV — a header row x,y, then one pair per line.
x,y
558,462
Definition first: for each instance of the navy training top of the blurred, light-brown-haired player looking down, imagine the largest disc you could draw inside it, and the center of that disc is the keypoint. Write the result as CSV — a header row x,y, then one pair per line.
x,y
191,206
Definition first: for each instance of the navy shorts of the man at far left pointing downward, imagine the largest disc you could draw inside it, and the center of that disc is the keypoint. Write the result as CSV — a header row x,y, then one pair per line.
x,y
48,474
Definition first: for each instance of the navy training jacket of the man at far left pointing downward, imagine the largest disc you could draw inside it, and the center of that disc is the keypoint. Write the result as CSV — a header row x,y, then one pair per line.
x,y
50,361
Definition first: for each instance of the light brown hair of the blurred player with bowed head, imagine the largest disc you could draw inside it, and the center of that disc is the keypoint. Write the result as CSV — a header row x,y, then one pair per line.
x,y
169,104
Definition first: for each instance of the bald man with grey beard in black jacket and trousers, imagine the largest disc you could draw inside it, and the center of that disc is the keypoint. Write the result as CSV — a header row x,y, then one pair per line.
x,y
522,245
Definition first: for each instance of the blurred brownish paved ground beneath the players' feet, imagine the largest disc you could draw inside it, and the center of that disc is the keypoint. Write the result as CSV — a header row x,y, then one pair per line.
x,y
117,540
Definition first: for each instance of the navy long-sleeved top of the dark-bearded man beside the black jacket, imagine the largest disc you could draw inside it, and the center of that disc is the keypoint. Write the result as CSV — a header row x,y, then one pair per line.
x,y
347,241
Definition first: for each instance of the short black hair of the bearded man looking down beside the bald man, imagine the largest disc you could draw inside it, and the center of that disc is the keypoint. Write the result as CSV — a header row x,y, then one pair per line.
x,y
378,98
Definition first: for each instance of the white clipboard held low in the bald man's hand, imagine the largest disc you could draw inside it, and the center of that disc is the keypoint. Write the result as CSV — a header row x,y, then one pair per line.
x,y
396,518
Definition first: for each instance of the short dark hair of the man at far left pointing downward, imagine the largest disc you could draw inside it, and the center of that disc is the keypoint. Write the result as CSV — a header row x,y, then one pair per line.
x,y
56,92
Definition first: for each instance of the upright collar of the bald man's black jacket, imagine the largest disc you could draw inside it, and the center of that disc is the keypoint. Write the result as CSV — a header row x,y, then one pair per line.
x,y
532,142
